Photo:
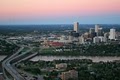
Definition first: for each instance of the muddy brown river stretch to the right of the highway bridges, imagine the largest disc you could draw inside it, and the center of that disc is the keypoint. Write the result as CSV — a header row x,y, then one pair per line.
x,y
94,59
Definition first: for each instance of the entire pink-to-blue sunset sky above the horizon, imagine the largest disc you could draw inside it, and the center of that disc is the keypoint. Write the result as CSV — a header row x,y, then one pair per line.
x,y
59,11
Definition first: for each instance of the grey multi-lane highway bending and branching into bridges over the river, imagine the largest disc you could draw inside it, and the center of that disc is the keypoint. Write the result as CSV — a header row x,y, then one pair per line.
x,y
8,64
